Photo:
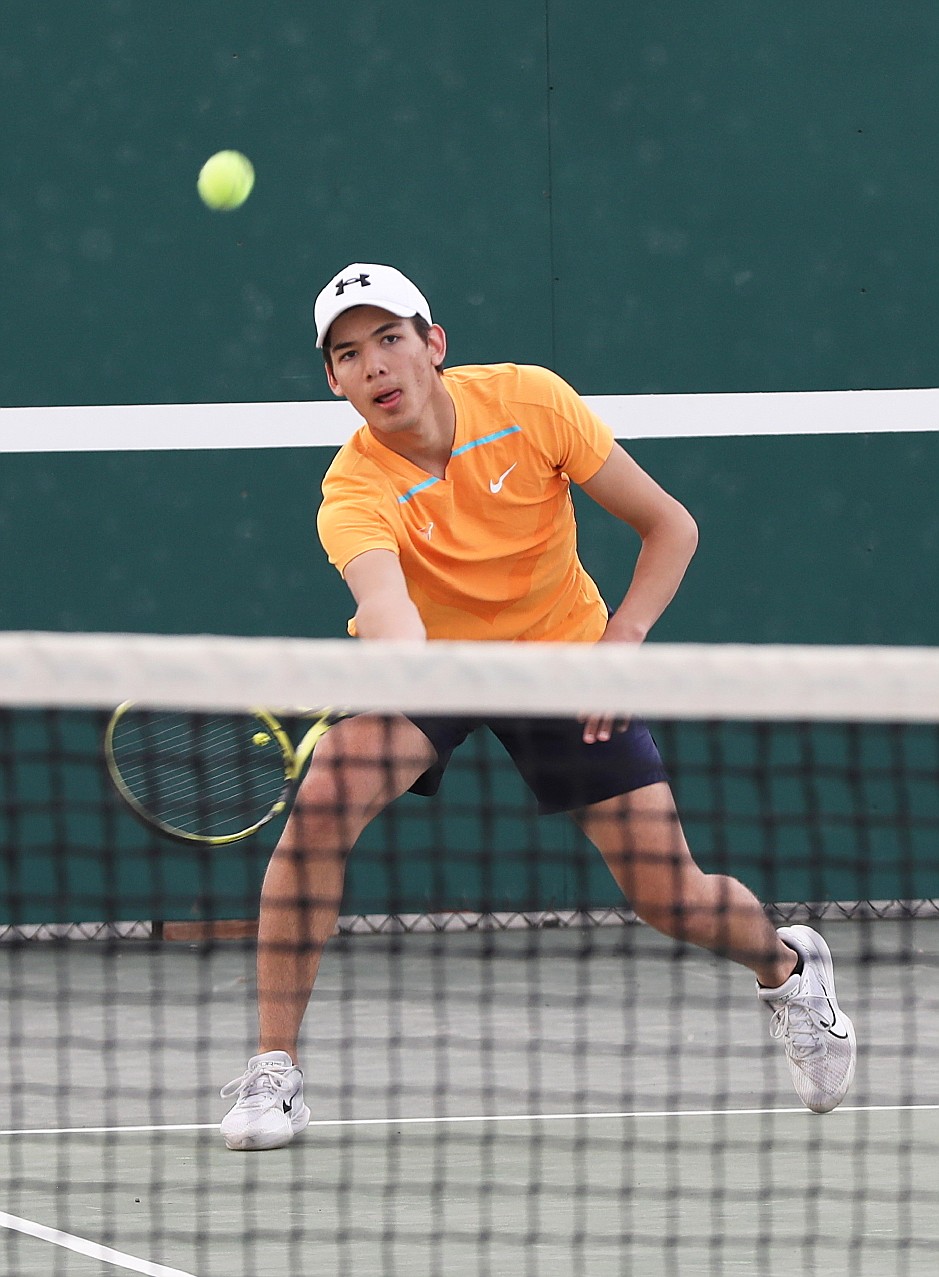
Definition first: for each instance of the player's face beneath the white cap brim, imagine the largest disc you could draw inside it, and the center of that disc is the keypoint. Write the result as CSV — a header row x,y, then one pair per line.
x,y
384,367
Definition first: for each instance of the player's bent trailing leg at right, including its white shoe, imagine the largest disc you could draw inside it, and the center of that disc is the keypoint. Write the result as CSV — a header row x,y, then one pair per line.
x,y
641,838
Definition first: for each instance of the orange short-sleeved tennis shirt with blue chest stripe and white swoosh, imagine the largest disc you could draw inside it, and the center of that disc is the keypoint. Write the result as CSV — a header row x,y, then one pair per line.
x,y
490,552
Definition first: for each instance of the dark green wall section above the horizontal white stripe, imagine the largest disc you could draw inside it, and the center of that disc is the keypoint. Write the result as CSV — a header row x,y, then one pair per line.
x,y
647,197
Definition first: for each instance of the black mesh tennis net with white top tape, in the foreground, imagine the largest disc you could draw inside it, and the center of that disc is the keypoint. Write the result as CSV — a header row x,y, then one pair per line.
x,y
507,1071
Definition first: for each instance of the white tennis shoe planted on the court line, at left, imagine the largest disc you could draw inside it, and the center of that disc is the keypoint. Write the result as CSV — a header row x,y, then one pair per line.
x,y
270,1108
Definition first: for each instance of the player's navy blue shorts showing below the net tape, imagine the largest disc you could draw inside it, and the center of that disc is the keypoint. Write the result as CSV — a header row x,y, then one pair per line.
x,y
553,759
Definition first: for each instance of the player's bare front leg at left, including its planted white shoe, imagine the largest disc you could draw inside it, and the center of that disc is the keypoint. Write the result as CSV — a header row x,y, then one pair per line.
x,y
360,767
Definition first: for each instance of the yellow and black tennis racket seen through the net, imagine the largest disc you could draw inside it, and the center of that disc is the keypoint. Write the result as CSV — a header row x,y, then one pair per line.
x,y
208,778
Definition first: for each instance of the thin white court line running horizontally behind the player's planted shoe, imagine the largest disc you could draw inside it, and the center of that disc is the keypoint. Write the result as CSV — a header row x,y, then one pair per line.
x,y
486,1118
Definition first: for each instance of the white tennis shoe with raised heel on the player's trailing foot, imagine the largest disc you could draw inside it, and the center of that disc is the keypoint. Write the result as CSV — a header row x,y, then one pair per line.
x,y
820,1039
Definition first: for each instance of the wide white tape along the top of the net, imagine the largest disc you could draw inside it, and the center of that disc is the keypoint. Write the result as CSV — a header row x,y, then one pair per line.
x,y
688,681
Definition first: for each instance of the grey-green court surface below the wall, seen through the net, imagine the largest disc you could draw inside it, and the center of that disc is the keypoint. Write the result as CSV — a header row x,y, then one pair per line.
x,y
541,1103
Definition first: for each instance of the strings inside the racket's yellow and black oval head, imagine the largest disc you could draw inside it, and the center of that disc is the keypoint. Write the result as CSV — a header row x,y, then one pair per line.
x,y
208,776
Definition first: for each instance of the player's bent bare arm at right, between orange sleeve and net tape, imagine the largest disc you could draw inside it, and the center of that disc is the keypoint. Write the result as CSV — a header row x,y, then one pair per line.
x,y
669,536
